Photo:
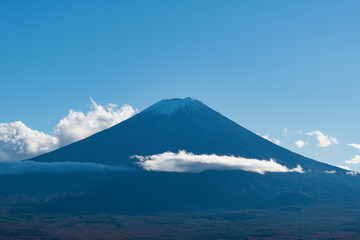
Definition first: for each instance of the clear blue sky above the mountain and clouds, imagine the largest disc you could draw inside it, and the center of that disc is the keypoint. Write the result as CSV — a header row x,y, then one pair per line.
x,y
268,65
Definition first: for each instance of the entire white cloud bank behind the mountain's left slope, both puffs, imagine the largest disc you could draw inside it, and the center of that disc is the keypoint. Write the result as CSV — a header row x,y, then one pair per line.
x,y
17,141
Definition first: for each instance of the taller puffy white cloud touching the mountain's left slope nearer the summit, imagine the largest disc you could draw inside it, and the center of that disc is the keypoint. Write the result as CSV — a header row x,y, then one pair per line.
x,y
77,125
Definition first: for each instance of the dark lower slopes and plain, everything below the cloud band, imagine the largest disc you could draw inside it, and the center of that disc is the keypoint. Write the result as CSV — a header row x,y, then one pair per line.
x,y
218,205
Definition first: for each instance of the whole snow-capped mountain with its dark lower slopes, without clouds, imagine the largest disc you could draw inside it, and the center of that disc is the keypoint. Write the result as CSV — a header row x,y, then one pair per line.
x,y
173,125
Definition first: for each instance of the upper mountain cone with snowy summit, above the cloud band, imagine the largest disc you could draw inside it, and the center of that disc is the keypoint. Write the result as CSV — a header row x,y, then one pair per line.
x,y
173,125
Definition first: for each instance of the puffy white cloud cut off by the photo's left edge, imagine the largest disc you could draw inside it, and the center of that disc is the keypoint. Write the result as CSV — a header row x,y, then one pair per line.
x,y
17,141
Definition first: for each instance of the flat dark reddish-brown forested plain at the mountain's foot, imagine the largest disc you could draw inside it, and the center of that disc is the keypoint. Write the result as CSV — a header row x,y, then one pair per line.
x,y
244,224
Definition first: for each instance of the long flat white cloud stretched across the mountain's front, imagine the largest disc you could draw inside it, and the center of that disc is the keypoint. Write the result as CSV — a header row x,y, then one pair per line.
x,y
188,162
